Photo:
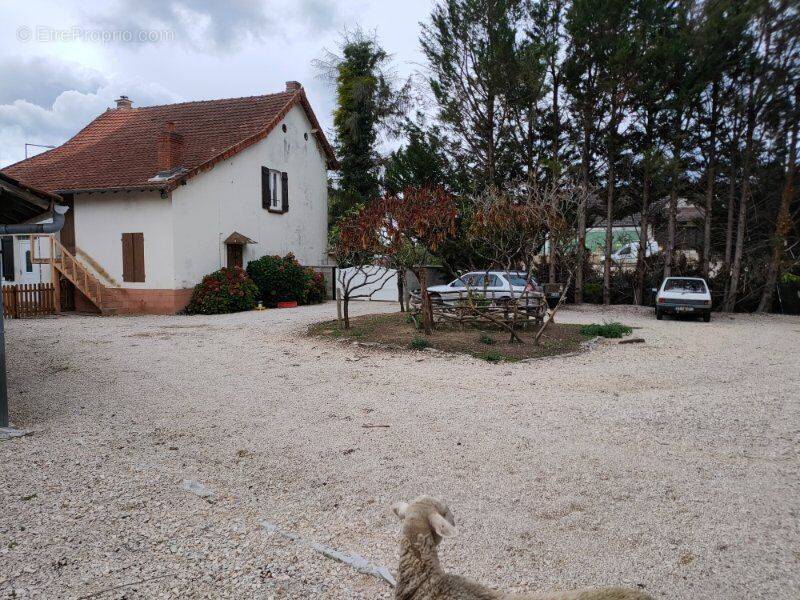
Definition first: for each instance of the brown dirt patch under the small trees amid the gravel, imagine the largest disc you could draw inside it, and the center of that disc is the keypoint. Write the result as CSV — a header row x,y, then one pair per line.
x,y
396,330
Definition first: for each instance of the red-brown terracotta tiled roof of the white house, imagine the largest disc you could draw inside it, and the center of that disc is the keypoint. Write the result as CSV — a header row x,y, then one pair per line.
x,y
119,149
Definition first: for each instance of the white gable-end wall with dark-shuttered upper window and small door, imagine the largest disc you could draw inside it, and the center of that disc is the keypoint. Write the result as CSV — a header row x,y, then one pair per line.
x,y
227,198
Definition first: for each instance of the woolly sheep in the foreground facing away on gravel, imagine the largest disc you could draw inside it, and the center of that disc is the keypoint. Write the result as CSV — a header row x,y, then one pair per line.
x,y
426,521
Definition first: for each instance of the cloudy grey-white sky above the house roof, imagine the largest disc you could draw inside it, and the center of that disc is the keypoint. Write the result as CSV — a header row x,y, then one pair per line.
x,y
63,62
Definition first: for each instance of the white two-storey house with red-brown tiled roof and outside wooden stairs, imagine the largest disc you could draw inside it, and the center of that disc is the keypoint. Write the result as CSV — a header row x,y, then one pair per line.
x,y
162,195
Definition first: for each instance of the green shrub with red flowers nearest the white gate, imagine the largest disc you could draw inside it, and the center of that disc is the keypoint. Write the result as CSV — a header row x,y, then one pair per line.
x,y
280,279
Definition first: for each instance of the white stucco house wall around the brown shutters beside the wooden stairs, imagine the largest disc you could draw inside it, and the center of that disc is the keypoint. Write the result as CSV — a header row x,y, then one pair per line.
x,y
101,219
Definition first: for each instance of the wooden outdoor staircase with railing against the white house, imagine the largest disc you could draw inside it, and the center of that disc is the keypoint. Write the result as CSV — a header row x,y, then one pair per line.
x,y
63,262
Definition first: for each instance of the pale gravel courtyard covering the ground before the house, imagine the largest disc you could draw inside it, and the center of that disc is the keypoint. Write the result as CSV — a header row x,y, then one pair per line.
x,y
673,464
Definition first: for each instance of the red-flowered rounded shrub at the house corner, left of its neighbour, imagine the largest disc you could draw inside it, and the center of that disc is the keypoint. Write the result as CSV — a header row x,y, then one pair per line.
x,y
223,291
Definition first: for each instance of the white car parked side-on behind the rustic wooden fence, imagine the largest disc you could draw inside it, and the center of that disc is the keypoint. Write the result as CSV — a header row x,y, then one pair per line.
x,y
499,286
